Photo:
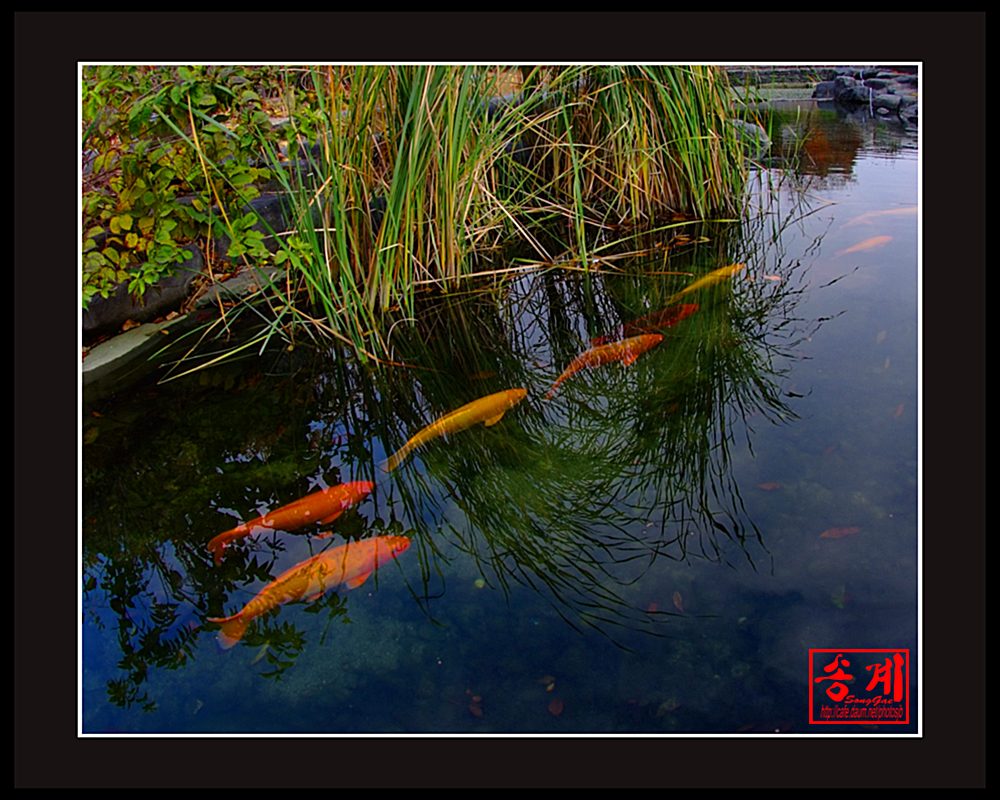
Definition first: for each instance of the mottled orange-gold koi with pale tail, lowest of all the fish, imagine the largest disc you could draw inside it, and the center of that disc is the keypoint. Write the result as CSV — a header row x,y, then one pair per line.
x,y
348,565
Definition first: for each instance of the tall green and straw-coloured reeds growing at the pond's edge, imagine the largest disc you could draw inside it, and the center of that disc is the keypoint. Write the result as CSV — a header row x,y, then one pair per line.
x,y
403,177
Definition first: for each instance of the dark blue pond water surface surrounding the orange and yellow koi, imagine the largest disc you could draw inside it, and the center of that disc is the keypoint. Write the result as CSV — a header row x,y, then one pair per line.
x,y
654,549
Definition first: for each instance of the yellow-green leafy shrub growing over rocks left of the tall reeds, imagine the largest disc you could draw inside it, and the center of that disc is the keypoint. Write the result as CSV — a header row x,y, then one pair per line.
x,y
163,147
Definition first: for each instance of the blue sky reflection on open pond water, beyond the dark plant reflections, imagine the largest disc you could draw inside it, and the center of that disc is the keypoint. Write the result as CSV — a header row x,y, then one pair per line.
x,y
849,460
